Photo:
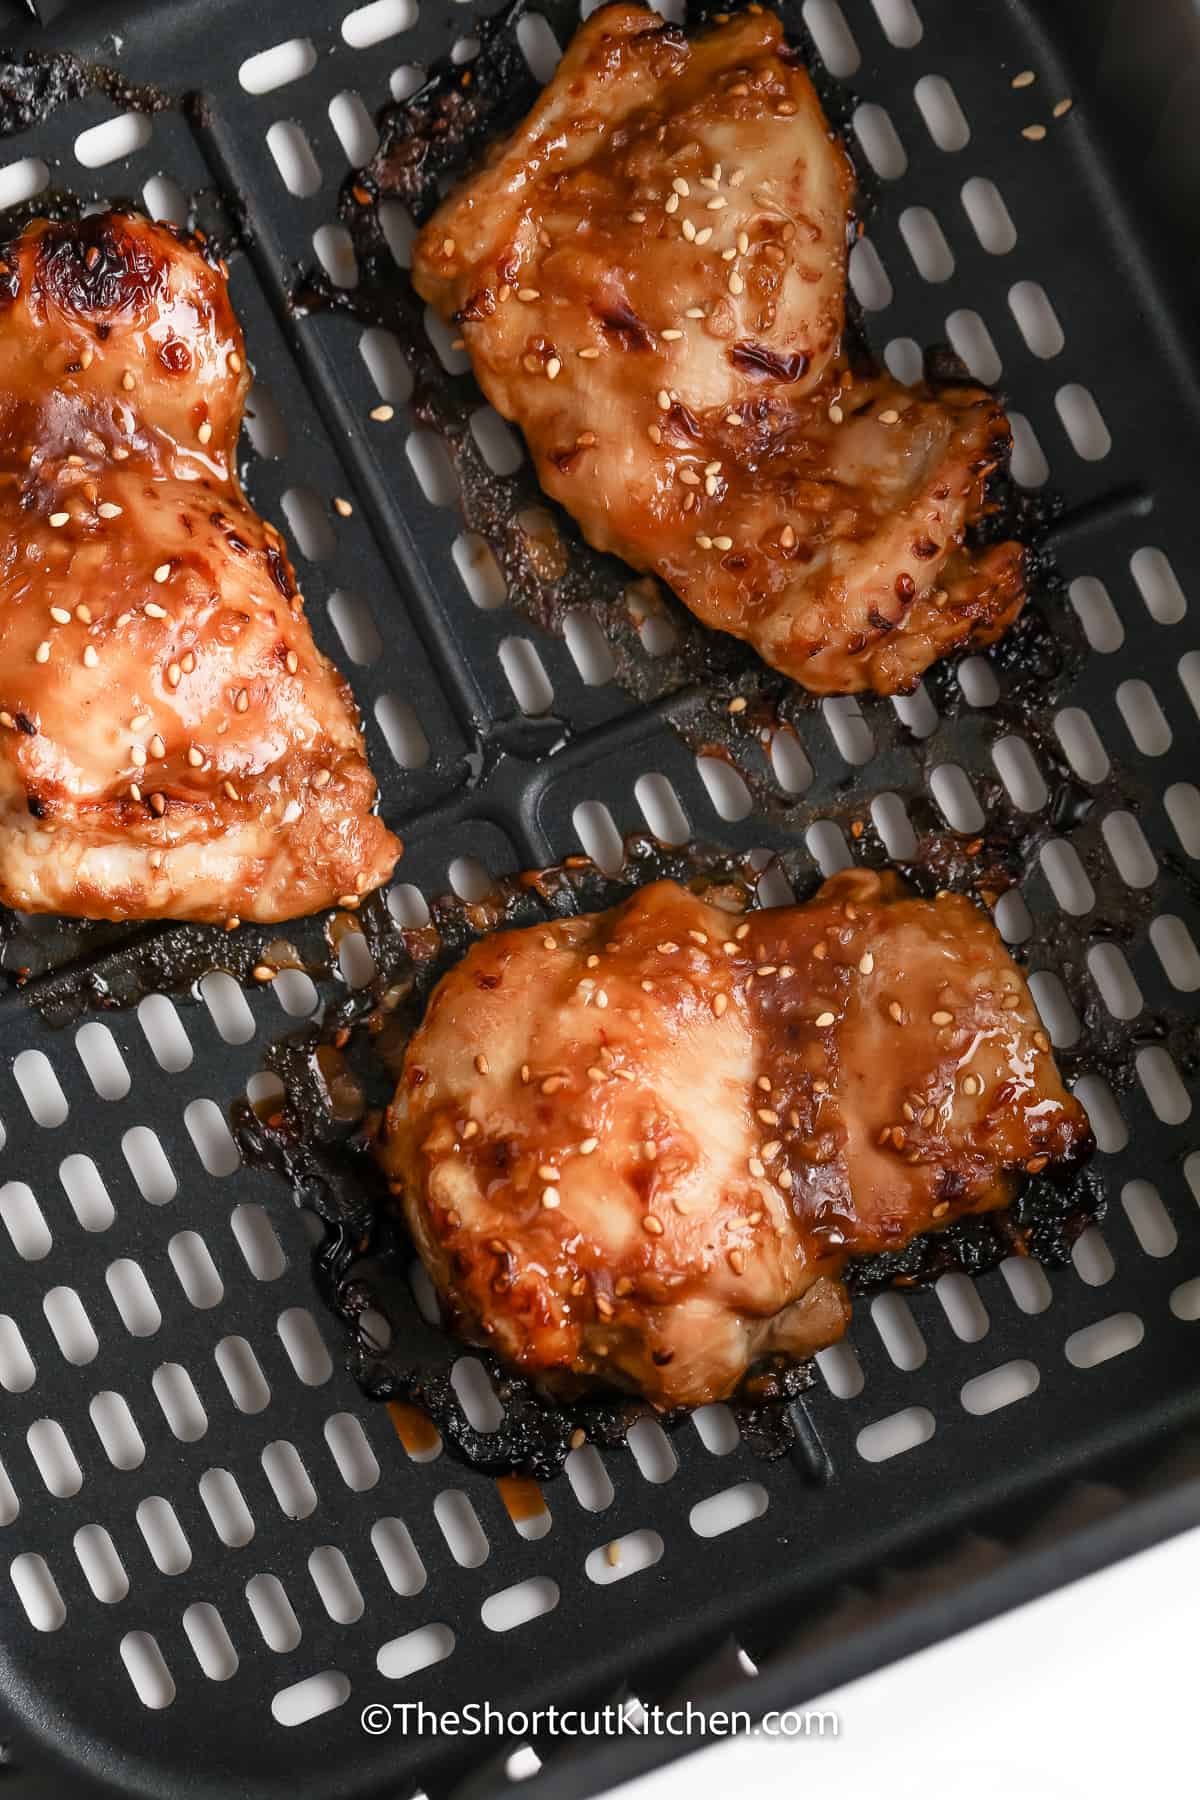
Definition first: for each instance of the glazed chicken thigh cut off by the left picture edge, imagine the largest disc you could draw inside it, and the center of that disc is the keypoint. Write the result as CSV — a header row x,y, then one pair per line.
x,y
172,742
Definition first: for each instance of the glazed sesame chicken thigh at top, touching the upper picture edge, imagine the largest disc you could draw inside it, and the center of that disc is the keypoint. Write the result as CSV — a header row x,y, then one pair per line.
x,y
650,278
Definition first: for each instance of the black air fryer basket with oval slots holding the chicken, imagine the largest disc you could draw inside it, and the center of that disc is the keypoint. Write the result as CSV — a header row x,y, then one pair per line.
x,y
217,1552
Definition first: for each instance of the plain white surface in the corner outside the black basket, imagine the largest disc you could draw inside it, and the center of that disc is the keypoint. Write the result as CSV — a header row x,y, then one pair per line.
x,y
1088,1695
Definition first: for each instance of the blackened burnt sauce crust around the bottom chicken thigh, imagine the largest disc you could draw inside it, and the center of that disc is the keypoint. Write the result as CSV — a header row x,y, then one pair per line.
x,y
341,1074
